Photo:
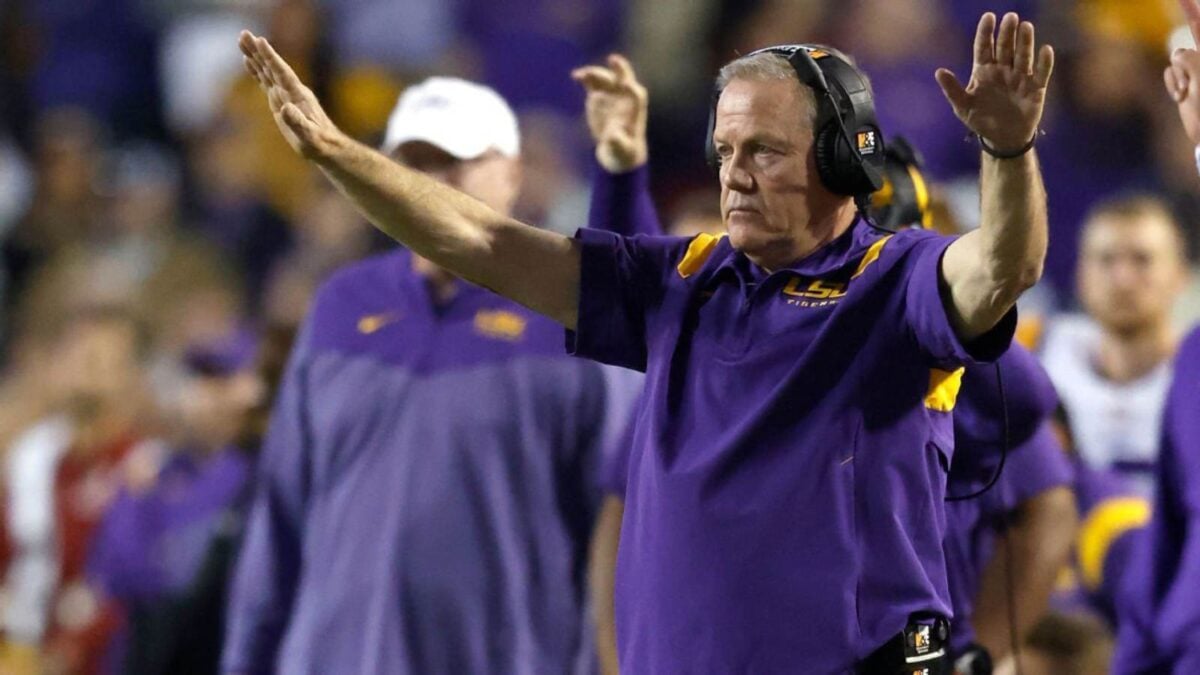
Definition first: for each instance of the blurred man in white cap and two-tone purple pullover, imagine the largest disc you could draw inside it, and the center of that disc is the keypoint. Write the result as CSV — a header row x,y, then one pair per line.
x,y
428,486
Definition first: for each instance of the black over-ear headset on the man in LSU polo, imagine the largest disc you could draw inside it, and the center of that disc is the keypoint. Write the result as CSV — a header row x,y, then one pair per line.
x,y
847,165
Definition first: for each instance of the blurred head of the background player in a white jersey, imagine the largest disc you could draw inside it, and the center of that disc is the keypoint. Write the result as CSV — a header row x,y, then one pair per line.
x,y
1131,272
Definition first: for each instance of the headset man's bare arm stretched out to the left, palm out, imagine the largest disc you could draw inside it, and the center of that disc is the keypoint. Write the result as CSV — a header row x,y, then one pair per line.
x,y
537,268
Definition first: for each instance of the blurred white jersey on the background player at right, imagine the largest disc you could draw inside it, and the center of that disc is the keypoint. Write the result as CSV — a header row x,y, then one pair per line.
x,y
1115,426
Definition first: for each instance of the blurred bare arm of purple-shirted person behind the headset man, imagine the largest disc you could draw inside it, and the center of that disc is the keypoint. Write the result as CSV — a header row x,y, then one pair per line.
x,y
1040,537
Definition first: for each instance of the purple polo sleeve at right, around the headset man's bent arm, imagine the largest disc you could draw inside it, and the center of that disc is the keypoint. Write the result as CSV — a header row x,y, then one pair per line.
x,y
928,320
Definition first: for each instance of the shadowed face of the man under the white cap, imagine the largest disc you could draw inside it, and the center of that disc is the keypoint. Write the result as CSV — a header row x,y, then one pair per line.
x,y
491,178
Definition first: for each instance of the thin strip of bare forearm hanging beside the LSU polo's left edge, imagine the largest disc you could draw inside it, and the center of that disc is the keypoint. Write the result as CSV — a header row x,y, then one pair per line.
x,y
602,580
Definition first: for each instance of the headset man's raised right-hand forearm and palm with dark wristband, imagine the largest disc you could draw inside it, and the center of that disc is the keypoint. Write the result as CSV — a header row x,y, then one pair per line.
x,y
988,270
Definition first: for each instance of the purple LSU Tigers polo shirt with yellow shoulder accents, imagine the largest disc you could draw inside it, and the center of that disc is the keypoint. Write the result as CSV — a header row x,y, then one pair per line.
x,y
788,469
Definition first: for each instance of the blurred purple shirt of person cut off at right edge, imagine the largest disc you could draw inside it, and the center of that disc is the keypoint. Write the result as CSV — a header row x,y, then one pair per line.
x,y
1160,610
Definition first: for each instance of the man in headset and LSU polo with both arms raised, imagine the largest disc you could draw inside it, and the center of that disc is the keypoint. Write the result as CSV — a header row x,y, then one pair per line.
x,y
785,494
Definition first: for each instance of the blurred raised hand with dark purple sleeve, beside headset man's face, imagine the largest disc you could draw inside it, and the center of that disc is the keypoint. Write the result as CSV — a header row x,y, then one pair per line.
x,y
617,107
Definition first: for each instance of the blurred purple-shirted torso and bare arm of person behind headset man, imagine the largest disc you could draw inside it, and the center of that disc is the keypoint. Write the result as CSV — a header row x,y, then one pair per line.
x,y
1009,545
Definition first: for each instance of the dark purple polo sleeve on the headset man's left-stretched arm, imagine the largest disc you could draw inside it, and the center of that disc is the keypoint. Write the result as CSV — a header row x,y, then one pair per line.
x,y
622,283
